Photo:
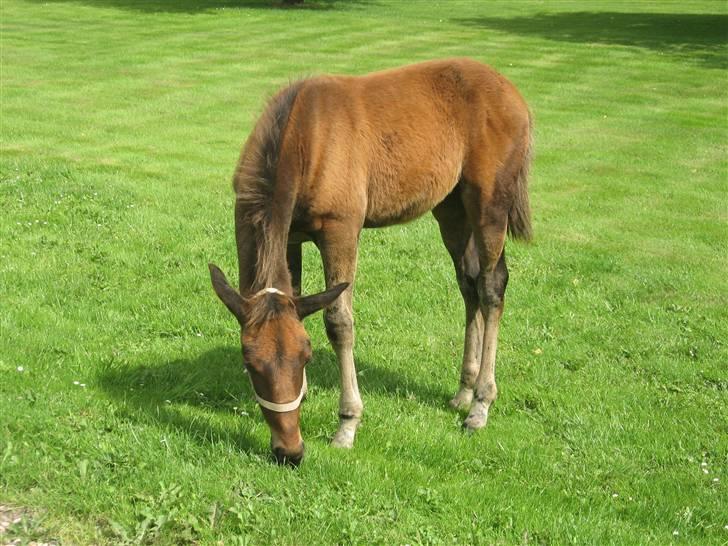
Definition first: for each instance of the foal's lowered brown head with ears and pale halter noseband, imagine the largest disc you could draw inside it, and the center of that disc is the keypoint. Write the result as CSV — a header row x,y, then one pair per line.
x,y
276,348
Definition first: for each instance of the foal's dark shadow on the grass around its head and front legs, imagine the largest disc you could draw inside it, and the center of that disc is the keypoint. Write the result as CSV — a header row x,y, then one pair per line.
x,y
187,393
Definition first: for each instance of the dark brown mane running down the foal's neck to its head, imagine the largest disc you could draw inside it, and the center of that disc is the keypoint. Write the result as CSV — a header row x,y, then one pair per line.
x,y
255,183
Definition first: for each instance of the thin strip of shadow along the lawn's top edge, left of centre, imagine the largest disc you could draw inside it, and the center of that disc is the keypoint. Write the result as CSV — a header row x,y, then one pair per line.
x,y
202,6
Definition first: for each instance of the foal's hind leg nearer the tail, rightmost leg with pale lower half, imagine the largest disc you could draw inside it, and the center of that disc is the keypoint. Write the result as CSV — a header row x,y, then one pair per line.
x,y
489,223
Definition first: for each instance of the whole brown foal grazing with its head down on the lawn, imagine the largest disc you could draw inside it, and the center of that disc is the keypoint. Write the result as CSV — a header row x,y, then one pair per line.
x,y
331,155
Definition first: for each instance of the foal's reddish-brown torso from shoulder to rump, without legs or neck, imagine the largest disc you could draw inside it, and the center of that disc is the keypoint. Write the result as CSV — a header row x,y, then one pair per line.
x,y
389,146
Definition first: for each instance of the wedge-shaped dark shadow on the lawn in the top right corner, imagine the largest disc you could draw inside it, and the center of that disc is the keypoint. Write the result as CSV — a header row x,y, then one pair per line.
x,y
688,36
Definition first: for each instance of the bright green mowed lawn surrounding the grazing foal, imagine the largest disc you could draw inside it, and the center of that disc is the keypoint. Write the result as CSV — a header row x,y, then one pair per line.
x,y
125,416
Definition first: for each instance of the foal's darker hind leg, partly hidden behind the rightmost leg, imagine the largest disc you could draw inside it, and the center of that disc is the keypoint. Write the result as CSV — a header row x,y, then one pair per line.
x,y
457,236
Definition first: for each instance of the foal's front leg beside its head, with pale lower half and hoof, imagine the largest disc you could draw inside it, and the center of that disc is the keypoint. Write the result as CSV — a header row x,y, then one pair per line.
x,y
338,246
